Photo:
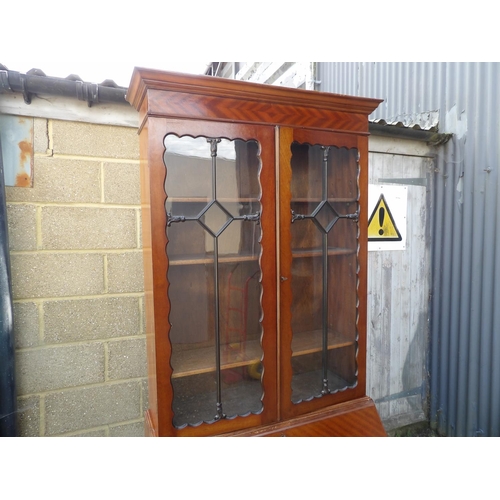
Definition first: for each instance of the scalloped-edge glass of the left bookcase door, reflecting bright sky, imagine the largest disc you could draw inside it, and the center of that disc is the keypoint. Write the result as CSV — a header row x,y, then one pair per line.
x,y
214,277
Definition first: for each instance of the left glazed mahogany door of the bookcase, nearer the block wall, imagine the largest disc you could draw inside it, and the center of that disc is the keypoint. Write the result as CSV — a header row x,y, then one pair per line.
x,y
220,291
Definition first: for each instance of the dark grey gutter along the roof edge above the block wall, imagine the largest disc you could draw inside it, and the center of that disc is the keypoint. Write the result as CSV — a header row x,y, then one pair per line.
x,y
32,84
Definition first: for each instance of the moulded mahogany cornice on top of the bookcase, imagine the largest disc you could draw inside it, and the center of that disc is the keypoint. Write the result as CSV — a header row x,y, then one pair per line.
x,y
152,92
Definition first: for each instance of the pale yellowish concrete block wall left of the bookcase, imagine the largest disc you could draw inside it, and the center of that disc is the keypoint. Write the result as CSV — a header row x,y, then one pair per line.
x,y
77,282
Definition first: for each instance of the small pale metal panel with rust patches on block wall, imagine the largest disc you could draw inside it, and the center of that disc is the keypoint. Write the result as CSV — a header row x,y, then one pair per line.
x,y
16,133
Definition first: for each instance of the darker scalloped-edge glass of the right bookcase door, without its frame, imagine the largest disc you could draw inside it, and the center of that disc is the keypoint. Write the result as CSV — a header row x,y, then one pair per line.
x,y
324,250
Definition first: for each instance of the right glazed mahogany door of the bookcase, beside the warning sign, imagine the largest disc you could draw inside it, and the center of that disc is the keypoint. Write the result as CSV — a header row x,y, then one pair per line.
x,y
320,270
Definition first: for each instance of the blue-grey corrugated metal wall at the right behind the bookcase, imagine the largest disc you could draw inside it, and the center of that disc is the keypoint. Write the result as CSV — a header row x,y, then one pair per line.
x,y
465,305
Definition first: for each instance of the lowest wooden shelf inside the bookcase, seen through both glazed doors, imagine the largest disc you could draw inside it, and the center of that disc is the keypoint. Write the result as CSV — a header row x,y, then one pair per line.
x,y
197,361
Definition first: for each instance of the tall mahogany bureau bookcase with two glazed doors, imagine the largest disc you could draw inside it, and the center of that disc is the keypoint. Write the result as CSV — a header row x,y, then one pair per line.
x,y
254,227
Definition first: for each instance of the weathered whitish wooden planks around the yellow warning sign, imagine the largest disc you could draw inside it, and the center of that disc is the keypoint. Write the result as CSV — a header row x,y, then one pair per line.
x,y
398,290
